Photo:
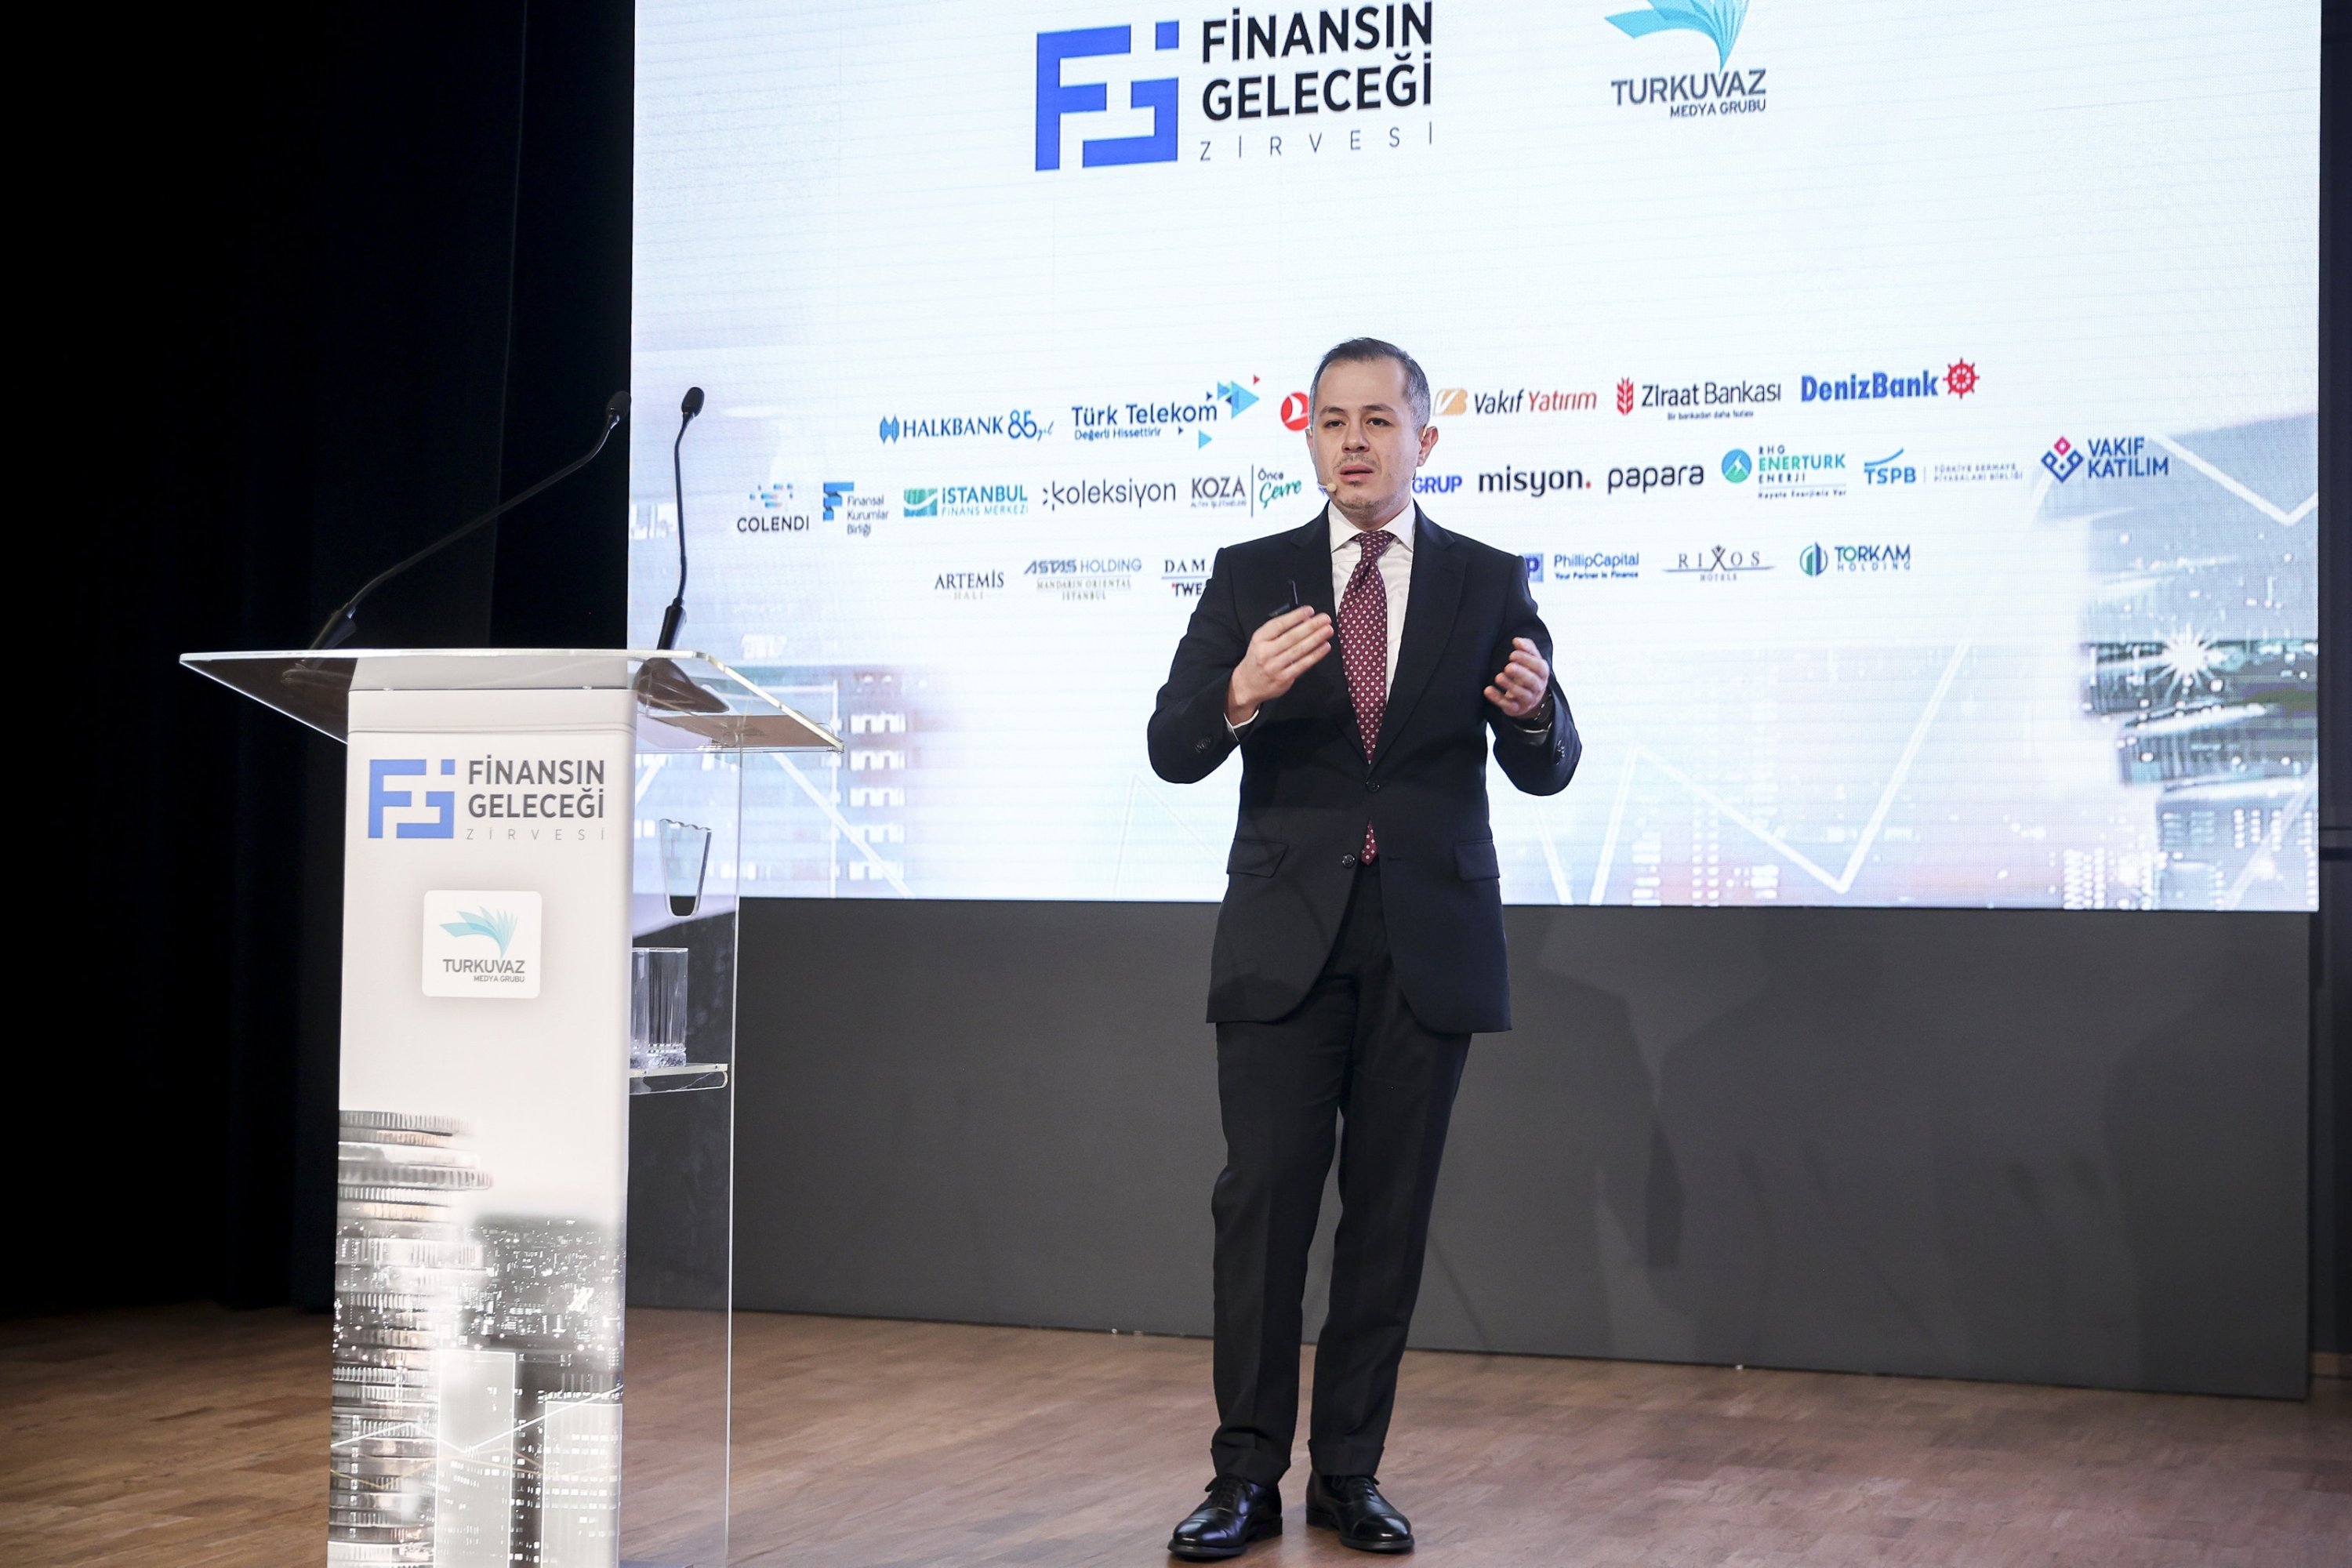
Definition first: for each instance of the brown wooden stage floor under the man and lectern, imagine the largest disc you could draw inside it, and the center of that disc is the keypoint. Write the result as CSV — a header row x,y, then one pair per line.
x,y
196,1438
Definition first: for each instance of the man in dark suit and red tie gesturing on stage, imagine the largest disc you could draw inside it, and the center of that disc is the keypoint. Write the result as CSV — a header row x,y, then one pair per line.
x,y
1363,932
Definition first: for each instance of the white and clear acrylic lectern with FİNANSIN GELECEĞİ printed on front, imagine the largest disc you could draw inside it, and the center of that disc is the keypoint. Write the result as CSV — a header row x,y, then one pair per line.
x,y
535,1184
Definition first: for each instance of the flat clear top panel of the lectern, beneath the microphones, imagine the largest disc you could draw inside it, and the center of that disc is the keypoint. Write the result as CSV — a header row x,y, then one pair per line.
x,y
686,702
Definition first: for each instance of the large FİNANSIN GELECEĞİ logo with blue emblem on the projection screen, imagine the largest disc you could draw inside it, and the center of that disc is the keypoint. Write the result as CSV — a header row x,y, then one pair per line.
x,y
1229,88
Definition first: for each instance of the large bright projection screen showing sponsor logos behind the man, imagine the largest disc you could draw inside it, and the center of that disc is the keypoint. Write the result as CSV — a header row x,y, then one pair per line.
x,y
1906,415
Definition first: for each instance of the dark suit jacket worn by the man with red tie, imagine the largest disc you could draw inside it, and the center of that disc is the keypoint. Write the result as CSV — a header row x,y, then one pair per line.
x,y
1309,793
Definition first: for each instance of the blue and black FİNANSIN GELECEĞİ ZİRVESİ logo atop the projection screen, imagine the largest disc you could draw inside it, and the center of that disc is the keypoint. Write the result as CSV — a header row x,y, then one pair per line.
x,y
1304,69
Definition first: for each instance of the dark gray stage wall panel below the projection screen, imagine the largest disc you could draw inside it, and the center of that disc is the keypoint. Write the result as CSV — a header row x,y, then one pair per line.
x,y
2057,1148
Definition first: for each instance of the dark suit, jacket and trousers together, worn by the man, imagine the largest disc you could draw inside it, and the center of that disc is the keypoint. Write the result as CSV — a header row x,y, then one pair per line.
x,y
1347,993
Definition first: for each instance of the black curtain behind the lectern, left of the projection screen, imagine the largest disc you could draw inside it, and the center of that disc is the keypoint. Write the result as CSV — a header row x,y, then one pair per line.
x,y
326,281
